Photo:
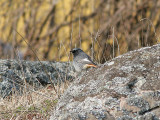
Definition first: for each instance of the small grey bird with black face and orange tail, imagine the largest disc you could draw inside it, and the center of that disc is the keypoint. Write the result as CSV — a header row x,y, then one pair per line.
x,y
81,60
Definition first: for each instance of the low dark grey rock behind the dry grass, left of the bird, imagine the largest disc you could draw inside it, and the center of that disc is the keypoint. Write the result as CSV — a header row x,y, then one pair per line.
x,y
14,74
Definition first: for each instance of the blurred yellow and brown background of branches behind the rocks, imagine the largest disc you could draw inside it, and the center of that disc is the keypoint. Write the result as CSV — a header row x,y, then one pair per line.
x,y
104,29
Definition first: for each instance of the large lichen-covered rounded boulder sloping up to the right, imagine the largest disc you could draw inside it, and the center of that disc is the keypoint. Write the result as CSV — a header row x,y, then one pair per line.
x,y
126,88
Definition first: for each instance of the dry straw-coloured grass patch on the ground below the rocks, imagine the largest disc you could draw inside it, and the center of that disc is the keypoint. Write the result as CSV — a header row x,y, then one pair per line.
x,y
31,105
